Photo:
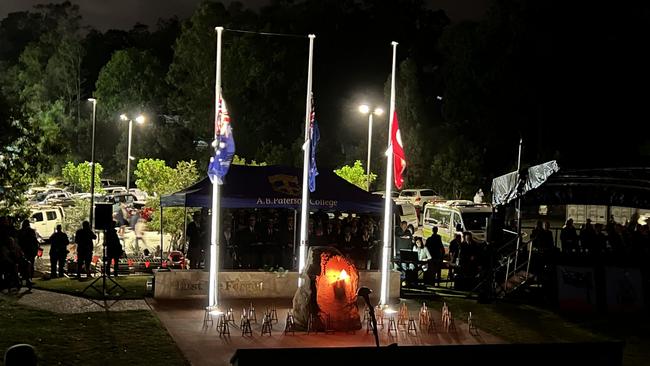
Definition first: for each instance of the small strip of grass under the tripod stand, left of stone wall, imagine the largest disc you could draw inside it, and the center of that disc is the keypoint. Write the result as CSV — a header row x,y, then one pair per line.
x,y
135,287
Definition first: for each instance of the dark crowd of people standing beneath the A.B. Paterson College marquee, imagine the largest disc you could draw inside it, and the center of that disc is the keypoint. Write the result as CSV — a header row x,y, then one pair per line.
x,y
265,238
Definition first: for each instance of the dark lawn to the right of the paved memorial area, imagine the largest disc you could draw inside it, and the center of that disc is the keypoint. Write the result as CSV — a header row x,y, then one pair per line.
x,y
520,323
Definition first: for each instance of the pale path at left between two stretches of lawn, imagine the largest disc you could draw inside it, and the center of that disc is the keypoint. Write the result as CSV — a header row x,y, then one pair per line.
x,y
68,304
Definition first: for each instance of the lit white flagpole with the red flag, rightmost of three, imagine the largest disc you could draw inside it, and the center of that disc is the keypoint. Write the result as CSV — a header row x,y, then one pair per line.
x,y
388,230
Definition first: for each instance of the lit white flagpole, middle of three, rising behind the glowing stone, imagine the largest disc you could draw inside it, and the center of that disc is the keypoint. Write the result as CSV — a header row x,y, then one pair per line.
x,y
304,211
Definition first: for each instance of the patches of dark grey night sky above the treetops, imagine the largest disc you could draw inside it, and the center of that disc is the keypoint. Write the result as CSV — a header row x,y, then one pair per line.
x,y
123,14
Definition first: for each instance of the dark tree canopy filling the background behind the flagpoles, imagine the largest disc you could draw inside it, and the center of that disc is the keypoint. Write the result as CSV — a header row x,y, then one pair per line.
x,y
466,90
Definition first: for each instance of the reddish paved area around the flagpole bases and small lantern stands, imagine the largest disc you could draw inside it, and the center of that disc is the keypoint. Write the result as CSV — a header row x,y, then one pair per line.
x,y
203,346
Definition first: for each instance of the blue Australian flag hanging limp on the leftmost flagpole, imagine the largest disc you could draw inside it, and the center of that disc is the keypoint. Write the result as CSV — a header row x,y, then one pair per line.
x,y
224,145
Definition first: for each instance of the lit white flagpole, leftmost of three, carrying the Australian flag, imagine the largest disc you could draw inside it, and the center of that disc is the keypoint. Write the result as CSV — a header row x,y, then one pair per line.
x,y
213,299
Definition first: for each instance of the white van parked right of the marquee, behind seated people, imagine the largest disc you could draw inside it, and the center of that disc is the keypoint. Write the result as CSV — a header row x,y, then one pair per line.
x,y
453,216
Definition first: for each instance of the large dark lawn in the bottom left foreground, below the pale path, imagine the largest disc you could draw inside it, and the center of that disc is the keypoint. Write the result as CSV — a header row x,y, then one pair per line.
x,y
105,338
